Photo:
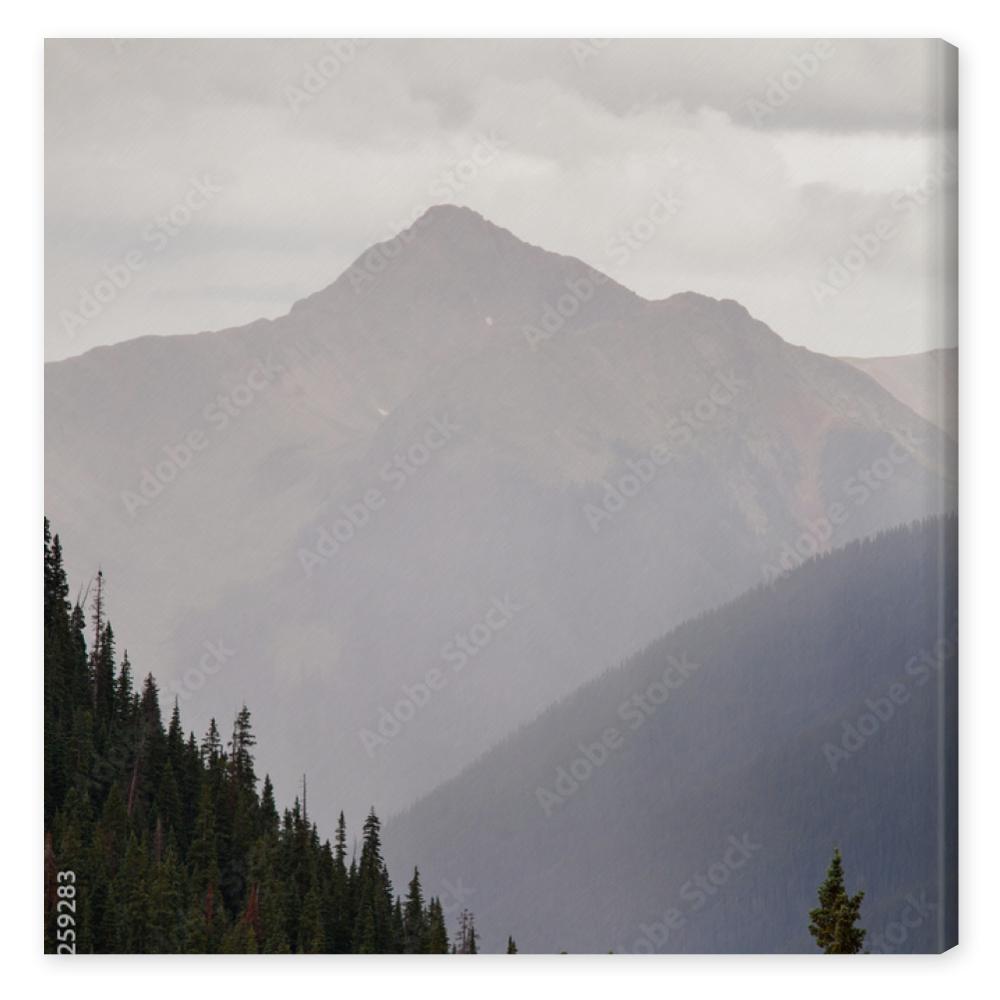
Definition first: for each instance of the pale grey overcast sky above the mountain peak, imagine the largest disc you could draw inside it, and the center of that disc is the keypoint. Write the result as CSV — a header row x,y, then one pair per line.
x,y
195,185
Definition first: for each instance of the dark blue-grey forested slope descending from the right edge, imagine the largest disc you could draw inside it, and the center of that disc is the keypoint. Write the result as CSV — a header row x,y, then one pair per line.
x,y
576,846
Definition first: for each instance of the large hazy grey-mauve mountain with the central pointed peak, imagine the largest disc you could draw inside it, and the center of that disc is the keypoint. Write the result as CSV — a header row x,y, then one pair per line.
x,y
491,451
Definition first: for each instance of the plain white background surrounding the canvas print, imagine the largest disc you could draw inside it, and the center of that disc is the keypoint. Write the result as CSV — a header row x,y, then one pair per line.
x,y
974,963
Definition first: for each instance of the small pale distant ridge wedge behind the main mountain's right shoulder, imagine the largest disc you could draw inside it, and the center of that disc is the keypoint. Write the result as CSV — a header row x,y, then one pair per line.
x,y
927,383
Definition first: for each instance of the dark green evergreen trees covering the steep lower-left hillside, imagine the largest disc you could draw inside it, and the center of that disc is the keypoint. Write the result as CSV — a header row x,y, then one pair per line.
x,y
158,842
